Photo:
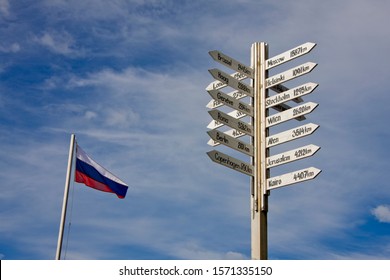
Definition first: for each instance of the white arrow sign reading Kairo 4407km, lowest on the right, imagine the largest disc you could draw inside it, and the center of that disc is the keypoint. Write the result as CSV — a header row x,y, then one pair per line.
x,y
292,178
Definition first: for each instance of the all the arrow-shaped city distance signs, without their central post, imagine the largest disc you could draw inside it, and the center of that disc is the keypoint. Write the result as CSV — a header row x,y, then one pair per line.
x,y
239,128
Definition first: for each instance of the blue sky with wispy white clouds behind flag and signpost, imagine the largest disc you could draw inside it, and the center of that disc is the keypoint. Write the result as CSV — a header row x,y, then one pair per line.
x,y
128,78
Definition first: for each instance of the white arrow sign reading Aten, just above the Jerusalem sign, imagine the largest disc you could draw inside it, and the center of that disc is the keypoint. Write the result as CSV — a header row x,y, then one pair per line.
x,y
292,134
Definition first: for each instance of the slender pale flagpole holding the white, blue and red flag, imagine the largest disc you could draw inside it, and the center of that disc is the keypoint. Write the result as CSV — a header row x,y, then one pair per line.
x,y
65,201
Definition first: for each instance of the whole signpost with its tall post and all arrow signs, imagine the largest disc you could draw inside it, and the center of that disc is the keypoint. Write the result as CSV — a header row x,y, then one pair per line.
x,y
258,130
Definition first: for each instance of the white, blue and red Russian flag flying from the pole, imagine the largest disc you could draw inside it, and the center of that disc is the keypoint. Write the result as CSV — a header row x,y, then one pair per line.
x,y
95,176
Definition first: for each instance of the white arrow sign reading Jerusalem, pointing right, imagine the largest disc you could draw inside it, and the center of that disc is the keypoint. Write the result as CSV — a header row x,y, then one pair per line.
x,y
293,155
